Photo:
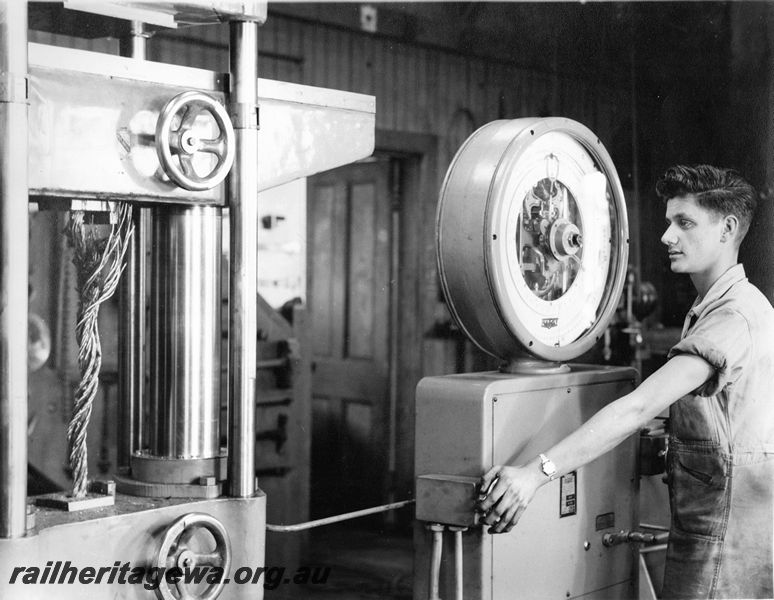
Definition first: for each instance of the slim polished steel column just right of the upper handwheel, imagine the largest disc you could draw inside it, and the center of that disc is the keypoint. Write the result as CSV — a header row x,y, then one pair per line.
x,y
243,224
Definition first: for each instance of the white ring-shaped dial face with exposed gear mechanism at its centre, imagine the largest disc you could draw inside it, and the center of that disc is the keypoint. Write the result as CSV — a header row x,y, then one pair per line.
x,y
556,219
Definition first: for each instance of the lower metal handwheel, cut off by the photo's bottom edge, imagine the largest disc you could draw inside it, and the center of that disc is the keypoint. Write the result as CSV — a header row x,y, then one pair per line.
x,y
176,550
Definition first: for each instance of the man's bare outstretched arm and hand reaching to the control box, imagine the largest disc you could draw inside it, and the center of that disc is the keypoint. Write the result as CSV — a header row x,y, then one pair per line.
x,y
512,487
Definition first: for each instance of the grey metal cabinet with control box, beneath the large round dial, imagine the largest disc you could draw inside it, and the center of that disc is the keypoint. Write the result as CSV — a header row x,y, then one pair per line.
x,y
467,423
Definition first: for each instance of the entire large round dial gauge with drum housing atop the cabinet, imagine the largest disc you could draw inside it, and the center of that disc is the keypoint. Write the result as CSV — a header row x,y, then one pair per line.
x,y
532,238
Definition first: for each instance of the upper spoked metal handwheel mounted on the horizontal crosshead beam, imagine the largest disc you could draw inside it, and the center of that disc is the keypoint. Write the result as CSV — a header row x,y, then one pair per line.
x,y
177,147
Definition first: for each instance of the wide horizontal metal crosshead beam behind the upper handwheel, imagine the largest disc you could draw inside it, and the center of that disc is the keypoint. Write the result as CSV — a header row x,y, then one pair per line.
x,y
98,118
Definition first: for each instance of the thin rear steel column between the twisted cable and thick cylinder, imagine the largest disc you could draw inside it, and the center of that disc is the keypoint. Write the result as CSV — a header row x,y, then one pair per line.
x,y
131,358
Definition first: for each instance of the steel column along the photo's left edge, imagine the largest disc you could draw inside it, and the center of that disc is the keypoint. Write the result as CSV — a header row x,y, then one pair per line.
x,y
14,261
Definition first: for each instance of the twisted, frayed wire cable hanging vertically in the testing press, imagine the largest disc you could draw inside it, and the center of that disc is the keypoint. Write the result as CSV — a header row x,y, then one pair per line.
x,y
99,264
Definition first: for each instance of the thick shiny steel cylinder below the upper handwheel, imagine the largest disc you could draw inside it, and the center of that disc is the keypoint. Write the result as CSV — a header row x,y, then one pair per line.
x,y
185,332
